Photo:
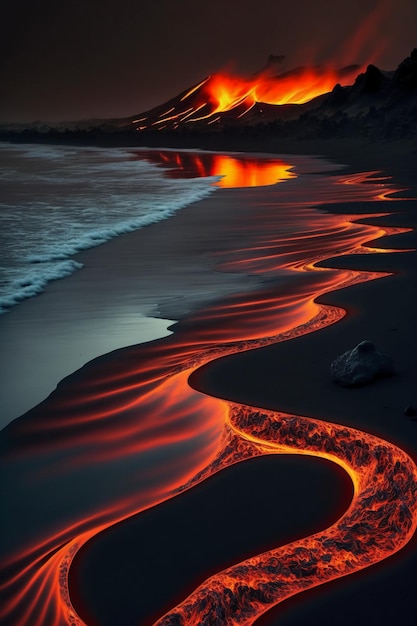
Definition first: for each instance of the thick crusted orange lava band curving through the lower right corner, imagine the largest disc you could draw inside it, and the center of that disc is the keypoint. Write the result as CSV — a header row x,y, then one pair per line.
x,y
381,518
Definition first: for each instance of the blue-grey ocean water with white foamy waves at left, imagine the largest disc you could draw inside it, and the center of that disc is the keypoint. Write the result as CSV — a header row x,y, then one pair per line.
x,y
57,200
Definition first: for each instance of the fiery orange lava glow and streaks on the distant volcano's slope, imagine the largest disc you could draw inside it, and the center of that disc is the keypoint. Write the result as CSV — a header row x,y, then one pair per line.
x,y
224,93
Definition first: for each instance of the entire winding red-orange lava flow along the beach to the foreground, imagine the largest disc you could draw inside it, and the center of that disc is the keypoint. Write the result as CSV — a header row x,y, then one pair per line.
x,y
127,432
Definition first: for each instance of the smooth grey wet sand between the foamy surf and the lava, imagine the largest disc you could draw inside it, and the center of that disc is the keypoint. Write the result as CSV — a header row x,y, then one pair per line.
x,y
130,289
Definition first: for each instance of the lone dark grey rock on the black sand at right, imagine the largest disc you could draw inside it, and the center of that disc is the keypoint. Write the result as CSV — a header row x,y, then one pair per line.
x,y
361,365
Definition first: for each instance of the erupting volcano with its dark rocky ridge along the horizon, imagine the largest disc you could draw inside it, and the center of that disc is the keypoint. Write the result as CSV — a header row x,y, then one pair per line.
x,y
308,102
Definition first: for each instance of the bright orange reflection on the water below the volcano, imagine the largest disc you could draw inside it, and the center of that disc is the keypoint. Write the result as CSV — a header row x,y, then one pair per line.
x,y
232,171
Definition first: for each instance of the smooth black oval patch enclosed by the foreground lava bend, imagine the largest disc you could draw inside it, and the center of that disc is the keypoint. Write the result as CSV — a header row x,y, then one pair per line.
x,y
164,553
